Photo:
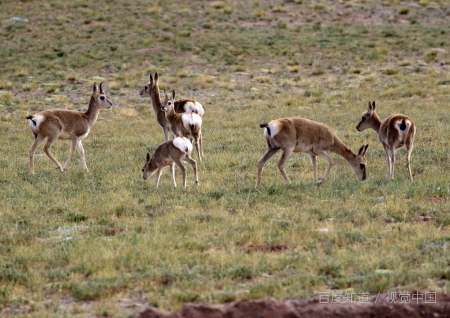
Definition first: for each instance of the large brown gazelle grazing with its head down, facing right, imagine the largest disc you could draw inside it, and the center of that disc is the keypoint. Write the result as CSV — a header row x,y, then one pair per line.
x,y
297,134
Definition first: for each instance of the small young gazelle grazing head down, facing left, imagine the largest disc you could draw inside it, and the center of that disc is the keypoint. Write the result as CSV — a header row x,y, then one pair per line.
x,y
171,153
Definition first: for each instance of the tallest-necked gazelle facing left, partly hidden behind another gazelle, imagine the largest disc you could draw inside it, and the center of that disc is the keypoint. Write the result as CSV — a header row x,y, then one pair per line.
x,y
183,105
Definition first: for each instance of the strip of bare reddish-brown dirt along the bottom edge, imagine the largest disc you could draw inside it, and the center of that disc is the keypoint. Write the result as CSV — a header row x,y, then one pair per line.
x,y
311,309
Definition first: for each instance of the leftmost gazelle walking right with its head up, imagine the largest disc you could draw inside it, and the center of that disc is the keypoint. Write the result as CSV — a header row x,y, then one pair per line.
x,y
67,125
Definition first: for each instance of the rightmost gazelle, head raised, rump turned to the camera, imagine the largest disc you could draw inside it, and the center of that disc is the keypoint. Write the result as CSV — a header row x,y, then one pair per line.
x,y
394,132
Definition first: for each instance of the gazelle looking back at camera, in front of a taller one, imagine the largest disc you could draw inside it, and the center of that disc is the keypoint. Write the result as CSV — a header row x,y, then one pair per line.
x,y
187,125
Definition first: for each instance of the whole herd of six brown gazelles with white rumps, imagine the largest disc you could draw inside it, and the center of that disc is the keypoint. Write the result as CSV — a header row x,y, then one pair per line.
x,y
183,118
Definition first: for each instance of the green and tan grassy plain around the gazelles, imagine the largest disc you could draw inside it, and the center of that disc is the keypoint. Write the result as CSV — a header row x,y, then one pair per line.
x,y
106,243
